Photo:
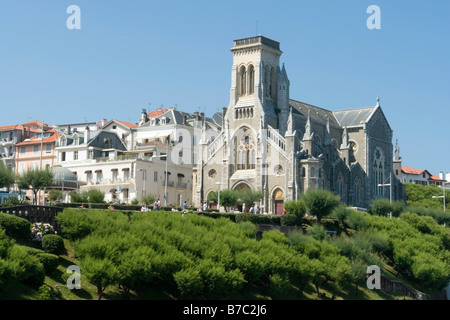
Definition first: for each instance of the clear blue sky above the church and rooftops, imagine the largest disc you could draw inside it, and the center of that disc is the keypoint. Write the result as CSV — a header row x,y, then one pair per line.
x,y
132,53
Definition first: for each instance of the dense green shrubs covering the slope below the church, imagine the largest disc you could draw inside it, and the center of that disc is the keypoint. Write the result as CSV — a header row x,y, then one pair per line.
x,y
167,255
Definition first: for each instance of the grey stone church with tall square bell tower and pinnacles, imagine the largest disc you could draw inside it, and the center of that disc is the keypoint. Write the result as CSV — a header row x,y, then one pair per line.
x,y
284,147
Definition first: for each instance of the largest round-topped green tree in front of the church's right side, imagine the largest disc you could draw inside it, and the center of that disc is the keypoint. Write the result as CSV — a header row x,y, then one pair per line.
x,y
320,203
